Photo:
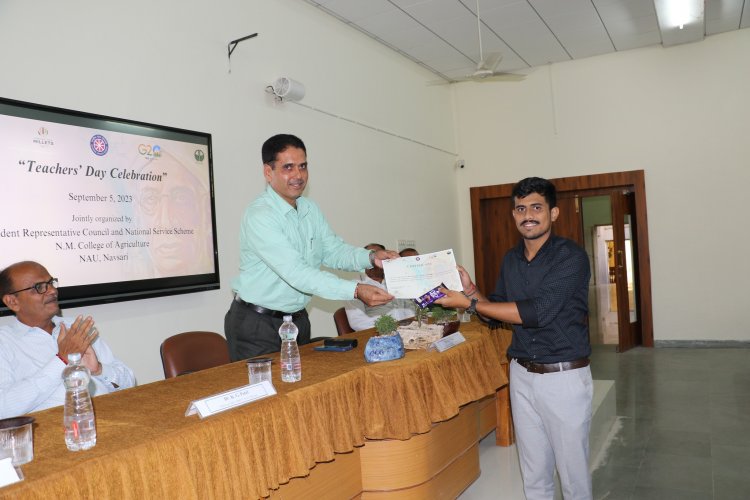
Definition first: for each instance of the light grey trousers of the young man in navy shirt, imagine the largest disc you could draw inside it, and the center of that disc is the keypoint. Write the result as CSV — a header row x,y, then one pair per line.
x,y
552,417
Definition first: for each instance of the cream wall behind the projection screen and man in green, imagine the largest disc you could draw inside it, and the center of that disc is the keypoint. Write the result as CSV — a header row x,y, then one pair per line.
x,y
165,62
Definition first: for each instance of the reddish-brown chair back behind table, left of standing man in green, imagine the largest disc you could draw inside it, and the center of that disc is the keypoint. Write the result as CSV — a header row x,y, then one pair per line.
x,y
193,351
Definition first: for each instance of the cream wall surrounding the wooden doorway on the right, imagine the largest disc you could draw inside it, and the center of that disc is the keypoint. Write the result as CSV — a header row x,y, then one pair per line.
x,y
681,115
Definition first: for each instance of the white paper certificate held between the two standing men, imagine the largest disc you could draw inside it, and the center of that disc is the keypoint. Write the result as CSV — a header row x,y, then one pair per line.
x,y
410,277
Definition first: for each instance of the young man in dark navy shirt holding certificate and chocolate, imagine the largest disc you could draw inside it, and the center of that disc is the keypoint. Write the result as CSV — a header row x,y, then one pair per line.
x,y
542,291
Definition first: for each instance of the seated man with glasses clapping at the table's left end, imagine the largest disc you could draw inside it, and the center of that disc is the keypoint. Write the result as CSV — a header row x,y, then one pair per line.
x,y
34,347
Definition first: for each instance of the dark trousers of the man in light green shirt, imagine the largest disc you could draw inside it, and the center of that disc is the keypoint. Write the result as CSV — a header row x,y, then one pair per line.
x,y
251,334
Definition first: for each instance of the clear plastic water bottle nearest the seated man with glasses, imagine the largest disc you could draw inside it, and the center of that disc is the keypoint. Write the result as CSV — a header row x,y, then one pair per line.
x,y
78,414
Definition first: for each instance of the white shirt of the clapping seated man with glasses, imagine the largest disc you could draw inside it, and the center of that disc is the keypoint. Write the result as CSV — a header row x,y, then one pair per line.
x,y
31,372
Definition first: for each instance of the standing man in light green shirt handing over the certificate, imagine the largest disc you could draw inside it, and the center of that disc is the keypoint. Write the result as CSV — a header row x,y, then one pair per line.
x,y
284,240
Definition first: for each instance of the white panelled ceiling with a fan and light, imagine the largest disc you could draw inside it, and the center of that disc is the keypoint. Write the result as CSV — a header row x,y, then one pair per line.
x,y
441,35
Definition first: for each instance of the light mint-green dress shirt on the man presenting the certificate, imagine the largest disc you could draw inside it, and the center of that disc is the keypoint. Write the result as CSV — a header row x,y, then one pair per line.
x,y
282,249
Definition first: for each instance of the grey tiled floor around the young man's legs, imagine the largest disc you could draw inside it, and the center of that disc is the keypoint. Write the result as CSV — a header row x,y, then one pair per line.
x,y
683,429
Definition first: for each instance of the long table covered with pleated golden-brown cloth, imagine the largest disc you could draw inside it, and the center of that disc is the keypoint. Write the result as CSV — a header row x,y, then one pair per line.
x,y
147,448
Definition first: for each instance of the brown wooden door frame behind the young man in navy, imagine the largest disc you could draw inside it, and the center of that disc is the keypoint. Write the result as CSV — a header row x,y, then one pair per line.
x,y
633,180
